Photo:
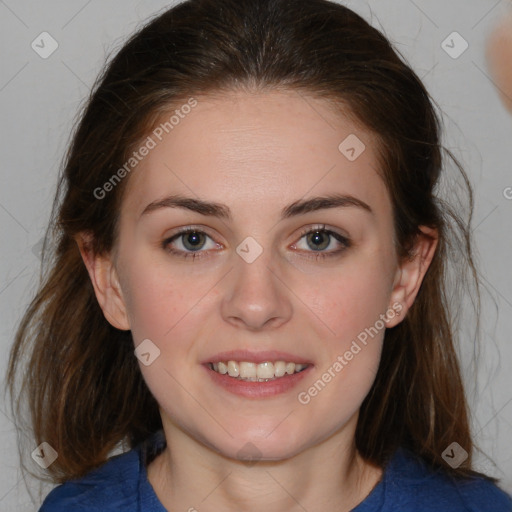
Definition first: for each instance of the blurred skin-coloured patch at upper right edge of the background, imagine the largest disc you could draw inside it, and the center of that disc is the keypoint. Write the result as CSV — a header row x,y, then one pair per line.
x,y
499,54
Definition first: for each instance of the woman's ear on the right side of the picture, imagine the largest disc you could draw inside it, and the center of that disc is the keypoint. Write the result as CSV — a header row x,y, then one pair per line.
x,y
410,274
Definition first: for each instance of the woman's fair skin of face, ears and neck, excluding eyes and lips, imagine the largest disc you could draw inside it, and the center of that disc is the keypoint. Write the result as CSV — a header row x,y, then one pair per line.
x,y
257,153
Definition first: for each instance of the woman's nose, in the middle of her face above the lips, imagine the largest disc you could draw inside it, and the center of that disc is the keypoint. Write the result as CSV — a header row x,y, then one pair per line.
x,y
255,295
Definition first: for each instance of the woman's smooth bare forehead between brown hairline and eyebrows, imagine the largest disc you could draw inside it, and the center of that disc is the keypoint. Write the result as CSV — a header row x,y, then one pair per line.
x,y
261,150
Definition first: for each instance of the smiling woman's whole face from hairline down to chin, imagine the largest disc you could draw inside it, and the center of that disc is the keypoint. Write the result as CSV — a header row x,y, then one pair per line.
x,y
252,280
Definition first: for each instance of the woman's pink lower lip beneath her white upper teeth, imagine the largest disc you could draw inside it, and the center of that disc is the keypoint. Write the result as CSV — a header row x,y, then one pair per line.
x,y
250,389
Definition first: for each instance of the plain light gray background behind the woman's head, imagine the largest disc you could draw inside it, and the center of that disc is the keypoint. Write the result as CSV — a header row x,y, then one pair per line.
x,y
39,99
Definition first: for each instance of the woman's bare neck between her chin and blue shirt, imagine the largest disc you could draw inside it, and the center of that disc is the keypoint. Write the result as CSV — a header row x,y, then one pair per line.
x,y
330,475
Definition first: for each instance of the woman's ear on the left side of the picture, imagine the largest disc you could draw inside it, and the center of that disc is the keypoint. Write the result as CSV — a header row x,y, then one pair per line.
x,y
105,282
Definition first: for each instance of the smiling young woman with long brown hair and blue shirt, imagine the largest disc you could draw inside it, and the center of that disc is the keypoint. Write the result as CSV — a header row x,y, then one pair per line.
x,y
248,202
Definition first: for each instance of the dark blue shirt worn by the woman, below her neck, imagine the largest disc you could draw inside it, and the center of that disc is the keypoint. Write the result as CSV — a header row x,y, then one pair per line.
x,y
407,485
